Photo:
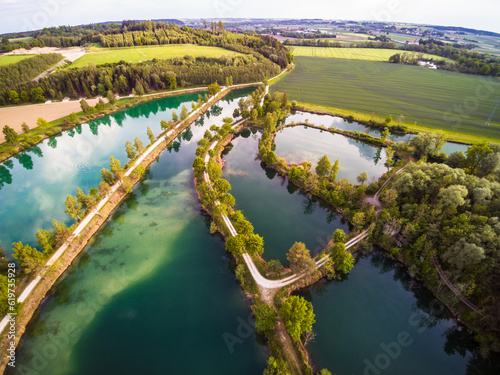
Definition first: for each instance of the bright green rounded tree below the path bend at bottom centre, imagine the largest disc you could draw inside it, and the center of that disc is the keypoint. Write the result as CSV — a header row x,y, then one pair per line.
x,y
298,316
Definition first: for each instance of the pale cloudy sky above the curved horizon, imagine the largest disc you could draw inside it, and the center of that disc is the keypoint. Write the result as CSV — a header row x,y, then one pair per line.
x,y
23,15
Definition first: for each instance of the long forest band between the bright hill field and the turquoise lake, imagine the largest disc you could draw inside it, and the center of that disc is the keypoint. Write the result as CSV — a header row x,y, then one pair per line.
x,y
148,76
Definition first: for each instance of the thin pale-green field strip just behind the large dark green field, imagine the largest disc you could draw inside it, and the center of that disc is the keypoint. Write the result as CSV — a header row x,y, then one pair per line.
x,y
371,54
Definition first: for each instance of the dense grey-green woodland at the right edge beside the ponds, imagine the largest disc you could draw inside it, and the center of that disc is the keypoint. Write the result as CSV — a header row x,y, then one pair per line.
x,y
448,213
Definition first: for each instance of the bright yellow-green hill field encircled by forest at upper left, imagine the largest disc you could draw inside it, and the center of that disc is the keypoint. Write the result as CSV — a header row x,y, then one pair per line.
x,y
137,54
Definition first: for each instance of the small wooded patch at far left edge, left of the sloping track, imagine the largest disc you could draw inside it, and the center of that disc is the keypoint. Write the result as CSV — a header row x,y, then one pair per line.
x,y
25,70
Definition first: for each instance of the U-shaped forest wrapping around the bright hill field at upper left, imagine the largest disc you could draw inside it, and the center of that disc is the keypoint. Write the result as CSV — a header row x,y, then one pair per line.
x,y
264,57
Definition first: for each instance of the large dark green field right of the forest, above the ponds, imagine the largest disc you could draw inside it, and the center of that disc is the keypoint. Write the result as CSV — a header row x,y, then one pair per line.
x,y
457,103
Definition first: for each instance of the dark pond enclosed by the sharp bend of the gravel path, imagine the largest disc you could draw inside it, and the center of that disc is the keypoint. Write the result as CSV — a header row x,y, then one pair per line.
x,y
273,206
